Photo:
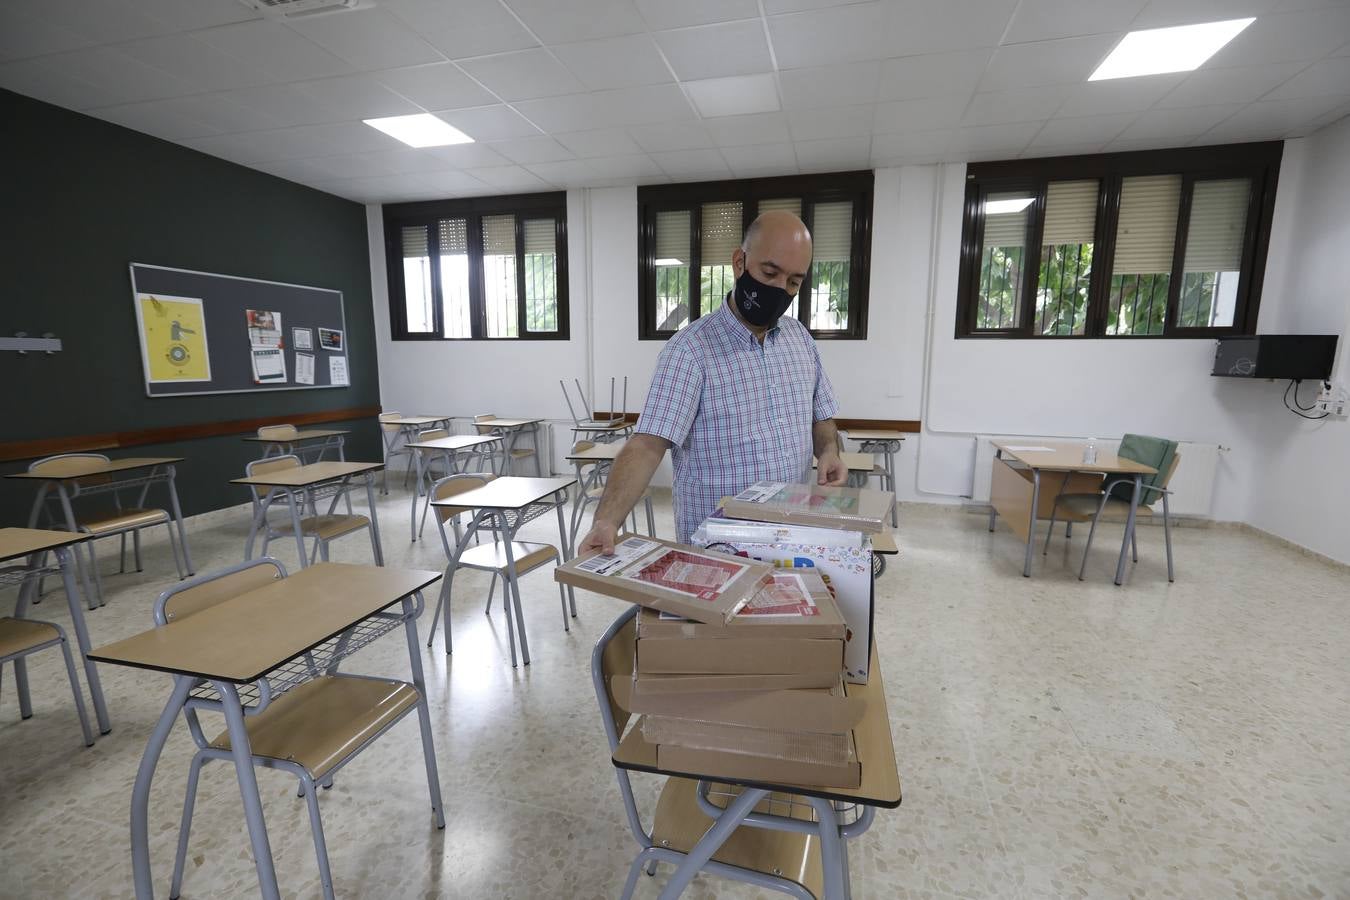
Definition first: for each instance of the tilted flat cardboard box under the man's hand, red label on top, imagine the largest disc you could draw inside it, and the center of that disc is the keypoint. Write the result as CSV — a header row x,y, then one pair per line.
x,y
665,575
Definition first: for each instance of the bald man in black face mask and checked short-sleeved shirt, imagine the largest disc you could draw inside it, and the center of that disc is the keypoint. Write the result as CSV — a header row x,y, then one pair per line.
x,y
739,396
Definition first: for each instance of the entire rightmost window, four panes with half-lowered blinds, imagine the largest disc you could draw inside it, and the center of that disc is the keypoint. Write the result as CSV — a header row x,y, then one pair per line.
x,y
1143,245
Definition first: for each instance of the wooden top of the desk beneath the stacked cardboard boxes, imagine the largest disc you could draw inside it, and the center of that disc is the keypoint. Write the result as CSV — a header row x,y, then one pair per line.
x,y
873,737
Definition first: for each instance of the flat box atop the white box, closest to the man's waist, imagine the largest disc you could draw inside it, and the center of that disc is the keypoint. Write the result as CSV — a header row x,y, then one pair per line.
x,y
854,509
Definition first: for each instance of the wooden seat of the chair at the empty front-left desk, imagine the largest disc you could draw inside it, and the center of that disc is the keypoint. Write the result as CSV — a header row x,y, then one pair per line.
x,y
325,723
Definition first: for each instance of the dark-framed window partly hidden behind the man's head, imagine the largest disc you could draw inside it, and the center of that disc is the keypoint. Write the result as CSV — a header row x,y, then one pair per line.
x,y
689,233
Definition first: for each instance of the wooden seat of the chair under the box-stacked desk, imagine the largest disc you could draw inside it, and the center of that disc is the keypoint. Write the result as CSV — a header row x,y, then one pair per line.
x,y
680,824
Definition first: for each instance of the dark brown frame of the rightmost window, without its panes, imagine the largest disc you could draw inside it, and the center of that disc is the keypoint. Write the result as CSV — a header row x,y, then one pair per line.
x,y
1256,161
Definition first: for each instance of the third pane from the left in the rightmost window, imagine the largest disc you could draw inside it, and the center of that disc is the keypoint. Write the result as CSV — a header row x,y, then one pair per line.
x,y
1143,269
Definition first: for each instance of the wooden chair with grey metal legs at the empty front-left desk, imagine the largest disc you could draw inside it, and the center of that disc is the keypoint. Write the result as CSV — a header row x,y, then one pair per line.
x,y
313,731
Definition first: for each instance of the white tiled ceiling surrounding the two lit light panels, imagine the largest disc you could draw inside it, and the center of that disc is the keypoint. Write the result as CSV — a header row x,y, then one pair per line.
x,y
562,94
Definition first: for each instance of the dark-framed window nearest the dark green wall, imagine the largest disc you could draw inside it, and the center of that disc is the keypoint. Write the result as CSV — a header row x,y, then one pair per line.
x,y
481,269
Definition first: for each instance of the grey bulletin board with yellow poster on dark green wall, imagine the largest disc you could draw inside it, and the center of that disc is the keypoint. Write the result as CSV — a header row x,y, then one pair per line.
x,y
209,334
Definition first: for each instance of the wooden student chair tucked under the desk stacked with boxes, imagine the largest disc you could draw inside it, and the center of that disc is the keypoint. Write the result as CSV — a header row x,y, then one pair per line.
x,y
769,851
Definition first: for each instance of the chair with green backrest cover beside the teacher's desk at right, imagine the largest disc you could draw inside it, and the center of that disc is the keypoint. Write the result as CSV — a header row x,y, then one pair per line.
x,y
1113,504
